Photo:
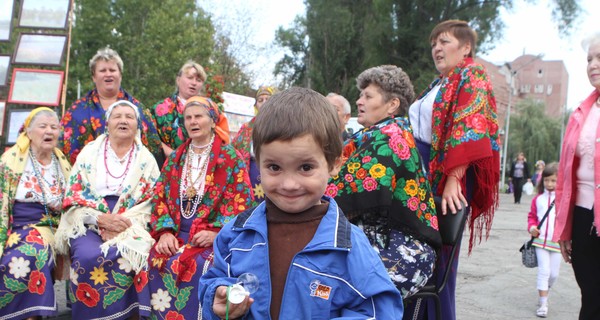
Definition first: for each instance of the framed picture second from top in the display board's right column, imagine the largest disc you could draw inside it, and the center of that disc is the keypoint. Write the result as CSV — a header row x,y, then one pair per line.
x,y
42,49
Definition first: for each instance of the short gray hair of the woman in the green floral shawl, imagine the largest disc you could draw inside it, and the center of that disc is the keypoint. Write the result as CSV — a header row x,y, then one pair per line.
x,y
392,81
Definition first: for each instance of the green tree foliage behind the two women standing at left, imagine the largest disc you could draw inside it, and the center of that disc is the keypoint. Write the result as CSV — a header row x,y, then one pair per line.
x,y
153,37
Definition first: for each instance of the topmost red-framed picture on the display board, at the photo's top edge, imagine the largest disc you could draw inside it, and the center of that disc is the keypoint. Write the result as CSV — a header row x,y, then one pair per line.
x,y
50,14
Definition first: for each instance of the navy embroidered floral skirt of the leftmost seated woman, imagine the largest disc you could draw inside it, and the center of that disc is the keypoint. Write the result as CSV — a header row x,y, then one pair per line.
x,y
26,287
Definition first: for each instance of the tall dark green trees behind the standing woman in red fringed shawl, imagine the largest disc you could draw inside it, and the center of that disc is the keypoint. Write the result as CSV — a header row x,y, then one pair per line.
x,y
345,37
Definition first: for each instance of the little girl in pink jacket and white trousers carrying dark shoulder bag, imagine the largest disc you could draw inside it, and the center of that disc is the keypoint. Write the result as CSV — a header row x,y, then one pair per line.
x,y
548,252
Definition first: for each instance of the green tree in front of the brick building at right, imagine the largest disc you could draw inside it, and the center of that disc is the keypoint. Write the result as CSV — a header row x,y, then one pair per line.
x,y
534,133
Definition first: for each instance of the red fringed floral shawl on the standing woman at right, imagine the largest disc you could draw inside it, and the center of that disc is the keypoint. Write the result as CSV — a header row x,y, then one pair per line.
x,y
465,132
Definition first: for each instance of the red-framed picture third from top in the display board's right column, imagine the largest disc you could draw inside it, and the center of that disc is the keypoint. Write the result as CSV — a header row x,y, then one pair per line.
x,y
34,86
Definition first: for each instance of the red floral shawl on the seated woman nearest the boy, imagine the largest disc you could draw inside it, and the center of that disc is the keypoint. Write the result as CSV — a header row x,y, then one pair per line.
x,y
228,191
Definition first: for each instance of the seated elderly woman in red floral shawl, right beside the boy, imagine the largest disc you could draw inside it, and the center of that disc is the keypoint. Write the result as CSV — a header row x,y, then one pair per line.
x,y
203,186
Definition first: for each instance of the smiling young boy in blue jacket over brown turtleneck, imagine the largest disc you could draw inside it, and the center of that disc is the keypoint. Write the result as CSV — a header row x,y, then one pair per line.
x,y
311,262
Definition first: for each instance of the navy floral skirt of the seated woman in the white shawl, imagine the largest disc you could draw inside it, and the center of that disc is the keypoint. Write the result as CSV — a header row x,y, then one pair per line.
x,y
104,287
